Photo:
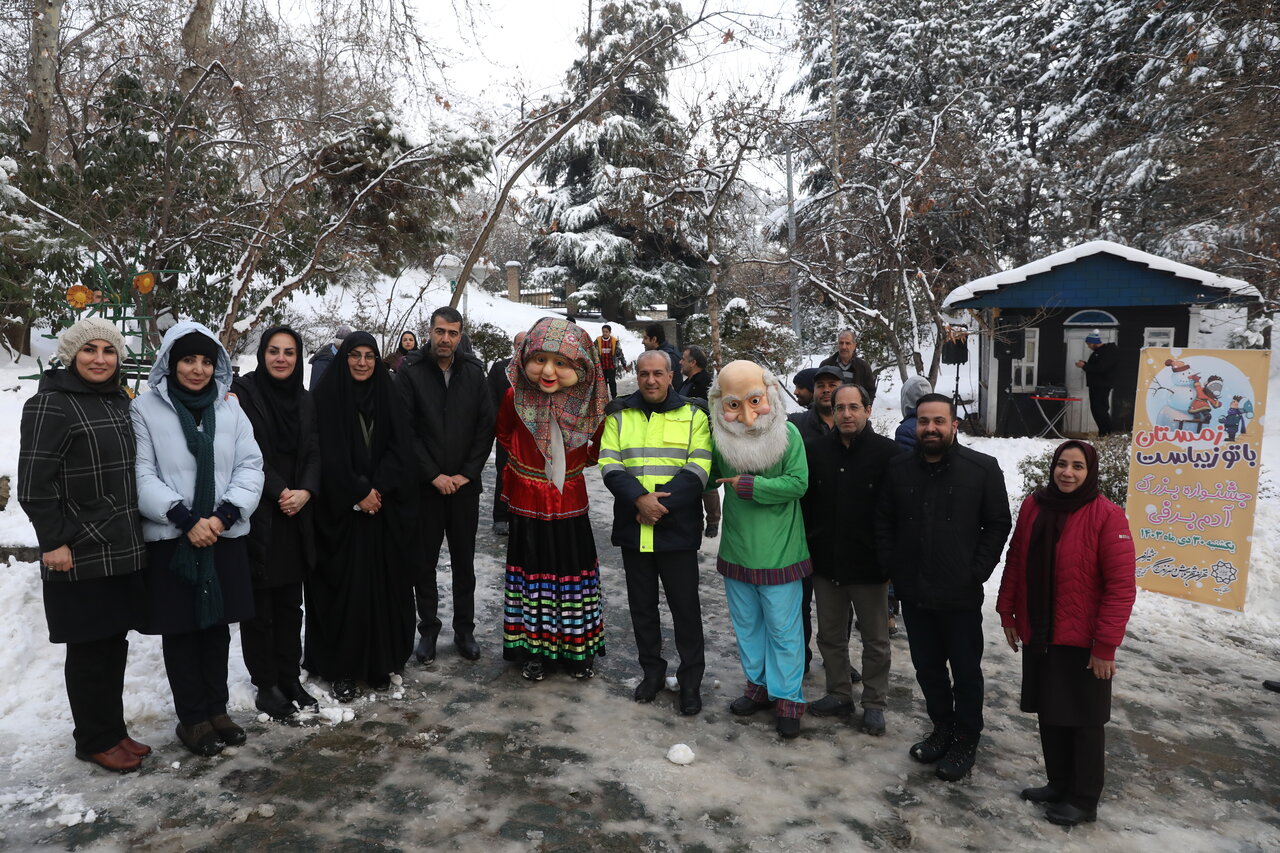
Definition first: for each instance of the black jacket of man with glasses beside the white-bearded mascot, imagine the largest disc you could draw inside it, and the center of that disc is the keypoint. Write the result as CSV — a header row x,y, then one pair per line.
x,y
840,505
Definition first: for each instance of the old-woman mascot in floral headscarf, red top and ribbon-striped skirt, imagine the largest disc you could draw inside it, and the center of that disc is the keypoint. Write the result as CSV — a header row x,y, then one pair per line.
x,y
550,425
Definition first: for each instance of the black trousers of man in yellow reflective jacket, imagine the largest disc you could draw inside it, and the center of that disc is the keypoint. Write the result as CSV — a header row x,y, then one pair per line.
x,y
678,571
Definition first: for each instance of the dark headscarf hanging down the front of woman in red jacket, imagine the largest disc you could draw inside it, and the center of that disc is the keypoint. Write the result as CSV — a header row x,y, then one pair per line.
x,y
1055,508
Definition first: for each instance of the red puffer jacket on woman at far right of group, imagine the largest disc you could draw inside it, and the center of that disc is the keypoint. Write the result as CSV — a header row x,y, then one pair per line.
x,y
1094,589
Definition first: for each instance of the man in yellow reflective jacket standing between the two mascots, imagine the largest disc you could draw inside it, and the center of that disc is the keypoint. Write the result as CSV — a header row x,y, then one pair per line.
x,y
656,457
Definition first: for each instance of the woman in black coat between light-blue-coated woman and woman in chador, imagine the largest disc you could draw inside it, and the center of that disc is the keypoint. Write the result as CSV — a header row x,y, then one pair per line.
x,y
282,535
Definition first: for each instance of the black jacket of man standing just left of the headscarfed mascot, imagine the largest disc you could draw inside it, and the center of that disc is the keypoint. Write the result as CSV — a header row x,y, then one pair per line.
x,y
452,427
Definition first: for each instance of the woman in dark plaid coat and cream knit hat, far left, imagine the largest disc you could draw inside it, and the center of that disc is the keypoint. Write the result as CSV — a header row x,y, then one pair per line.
x,y
77,486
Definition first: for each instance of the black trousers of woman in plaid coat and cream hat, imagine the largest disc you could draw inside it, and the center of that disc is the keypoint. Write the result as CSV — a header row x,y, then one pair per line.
x,y
95,682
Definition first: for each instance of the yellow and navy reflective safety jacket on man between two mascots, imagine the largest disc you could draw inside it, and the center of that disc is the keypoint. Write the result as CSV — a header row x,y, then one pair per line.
x,y
661,449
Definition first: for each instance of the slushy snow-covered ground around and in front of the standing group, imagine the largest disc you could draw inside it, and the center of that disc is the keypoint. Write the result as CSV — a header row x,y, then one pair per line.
x,y
1194,763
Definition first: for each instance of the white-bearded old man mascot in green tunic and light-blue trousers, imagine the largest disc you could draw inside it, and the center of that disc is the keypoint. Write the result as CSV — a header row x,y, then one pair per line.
x,y
764,555
